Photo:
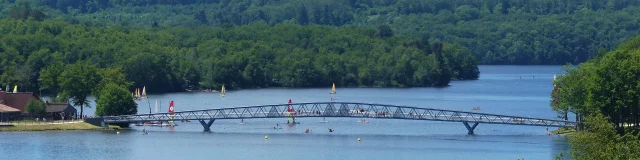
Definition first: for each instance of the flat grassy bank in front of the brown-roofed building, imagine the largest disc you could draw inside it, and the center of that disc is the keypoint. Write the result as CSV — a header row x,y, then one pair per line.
x,y
52,127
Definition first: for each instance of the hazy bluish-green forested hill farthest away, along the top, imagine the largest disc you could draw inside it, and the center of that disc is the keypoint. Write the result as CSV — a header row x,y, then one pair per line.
x,y
497,31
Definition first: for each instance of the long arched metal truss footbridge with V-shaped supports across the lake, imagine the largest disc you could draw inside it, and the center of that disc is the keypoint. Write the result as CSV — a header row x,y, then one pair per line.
x,y
339,109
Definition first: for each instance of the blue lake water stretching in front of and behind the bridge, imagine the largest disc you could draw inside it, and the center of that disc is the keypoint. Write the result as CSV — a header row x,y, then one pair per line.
x,y
511,90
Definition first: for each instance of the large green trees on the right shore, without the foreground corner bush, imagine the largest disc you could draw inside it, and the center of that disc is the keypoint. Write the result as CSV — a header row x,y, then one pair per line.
x,y
609,85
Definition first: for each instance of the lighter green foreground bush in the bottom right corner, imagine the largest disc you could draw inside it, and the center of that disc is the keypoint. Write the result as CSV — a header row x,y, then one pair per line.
x,y
601,141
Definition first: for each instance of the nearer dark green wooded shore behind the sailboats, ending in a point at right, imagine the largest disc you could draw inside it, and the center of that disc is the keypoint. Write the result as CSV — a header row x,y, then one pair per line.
x,y
34,54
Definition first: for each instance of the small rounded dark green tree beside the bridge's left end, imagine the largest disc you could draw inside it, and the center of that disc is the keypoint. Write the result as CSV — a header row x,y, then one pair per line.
x,y
115,100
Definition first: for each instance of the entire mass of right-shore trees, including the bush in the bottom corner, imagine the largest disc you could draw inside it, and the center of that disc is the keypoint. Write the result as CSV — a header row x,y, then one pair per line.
x,y
604,93
